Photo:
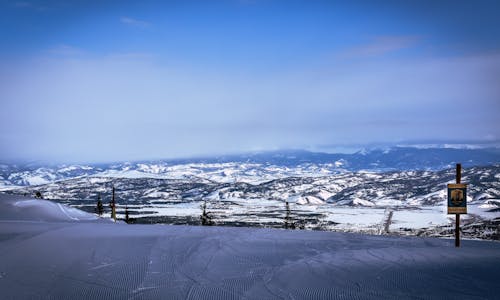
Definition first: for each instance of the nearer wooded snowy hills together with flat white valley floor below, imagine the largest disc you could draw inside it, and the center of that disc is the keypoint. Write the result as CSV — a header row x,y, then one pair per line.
x,y
359,201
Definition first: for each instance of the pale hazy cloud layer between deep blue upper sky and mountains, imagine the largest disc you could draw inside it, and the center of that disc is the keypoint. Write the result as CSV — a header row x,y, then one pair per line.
x,y
129,106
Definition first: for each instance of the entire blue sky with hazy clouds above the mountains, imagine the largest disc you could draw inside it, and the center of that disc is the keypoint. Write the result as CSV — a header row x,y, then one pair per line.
x,y
123,80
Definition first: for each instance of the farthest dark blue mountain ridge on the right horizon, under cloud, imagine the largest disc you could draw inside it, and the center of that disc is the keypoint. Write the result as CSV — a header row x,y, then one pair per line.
x,y
394,158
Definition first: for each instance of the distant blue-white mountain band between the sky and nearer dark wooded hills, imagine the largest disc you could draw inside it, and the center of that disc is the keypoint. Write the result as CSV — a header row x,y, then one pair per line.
x,y
258,167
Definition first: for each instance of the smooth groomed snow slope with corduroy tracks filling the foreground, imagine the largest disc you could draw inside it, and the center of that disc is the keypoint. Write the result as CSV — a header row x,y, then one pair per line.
x,y
50,251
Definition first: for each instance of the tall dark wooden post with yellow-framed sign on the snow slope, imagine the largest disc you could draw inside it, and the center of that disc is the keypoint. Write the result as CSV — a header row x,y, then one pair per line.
x,y
457,202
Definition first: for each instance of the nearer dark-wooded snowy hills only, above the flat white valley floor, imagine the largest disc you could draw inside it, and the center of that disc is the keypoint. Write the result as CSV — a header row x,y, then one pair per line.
x,y
396,188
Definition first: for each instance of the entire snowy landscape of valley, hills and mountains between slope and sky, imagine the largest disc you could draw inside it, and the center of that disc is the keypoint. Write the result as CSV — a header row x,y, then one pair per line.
x,y
396,190
